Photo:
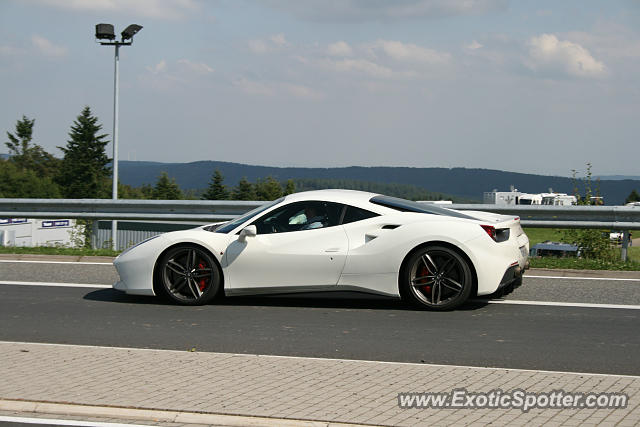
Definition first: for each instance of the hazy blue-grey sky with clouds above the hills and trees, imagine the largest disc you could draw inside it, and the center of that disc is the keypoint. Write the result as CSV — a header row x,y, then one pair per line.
x,y
537,87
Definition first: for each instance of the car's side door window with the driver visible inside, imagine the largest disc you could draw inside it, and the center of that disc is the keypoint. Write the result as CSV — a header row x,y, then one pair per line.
x,y
300,216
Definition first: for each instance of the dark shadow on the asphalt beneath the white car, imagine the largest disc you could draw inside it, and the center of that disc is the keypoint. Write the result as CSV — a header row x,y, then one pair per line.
x,y
344,300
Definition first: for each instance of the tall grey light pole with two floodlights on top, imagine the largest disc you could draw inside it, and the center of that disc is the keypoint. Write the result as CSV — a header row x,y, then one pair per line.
x,y
105,32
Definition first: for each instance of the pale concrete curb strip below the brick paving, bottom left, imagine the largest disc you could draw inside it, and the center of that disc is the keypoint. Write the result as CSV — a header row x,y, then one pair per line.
x,y
158,415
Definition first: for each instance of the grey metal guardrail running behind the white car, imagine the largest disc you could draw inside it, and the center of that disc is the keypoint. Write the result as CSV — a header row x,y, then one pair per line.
x,y
599,217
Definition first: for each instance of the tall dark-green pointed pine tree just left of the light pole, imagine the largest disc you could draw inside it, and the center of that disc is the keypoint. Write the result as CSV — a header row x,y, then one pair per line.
x,y
83,173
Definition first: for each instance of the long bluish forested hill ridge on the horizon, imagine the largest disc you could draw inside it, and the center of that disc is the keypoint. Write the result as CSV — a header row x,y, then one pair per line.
x,y
461,182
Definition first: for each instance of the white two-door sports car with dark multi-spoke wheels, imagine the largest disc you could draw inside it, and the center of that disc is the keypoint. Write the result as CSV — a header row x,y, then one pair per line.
x,y
334,240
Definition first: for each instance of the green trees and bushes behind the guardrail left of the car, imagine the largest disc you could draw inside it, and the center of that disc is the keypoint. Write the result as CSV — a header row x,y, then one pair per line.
x,y
84,171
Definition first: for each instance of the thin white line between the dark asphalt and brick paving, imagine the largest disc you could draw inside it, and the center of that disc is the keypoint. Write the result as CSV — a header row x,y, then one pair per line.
x,y
314,358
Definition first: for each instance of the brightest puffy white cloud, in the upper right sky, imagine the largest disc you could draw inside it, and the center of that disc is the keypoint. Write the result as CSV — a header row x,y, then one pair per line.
x,y
548,54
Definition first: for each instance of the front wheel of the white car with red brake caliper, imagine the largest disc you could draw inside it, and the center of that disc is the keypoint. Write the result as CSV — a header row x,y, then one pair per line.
x,y
189,275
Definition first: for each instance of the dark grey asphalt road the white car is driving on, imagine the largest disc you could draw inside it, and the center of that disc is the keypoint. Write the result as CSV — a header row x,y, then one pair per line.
x,y
347,326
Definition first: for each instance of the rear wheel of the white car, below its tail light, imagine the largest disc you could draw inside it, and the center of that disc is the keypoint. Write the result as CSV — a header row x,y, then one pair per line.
x,y
436,278
